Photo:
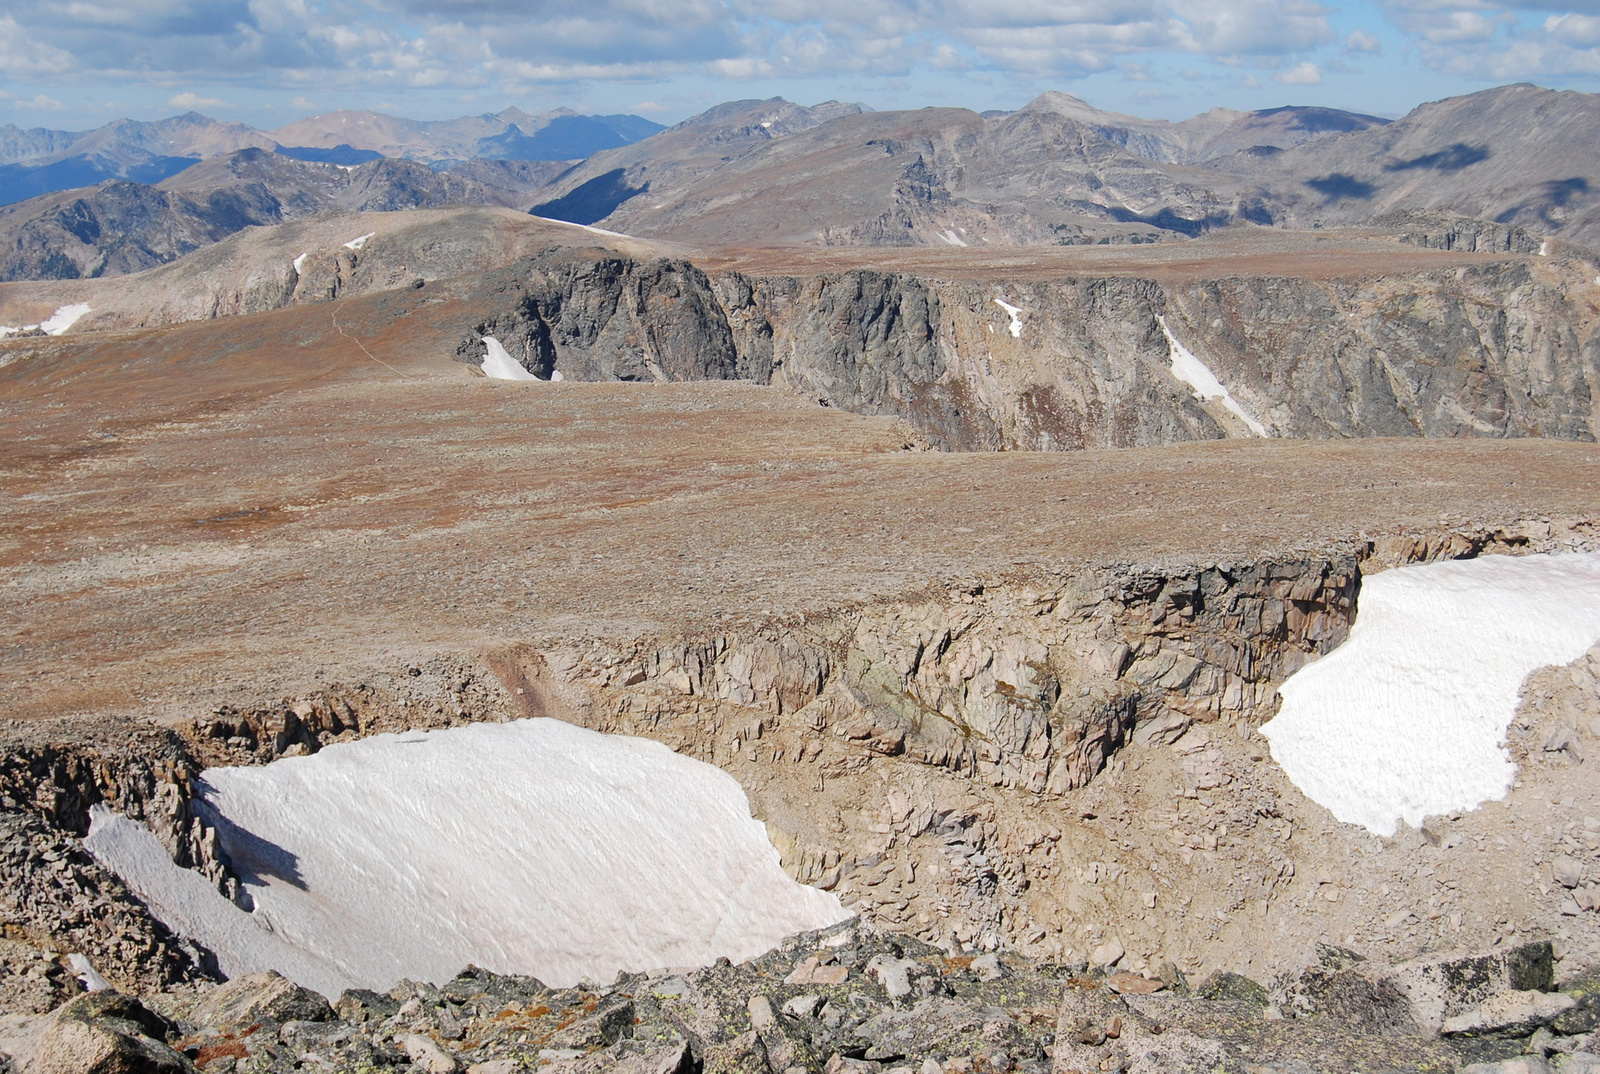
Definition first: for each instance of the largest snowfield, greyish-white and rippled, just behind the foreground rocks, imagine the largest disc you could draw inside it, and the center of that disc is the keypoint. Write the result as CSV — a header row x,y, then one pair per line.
x,y
529,848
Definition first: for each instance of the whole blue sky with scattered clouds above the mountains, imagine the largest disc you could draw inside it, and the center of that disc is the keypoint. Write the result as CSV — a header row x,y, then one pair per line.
x,y
76,65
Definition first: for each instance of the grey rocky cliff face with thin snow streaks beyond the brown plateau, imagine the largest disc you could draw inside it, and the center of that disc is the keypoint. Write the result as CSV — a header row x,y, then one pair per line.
x,y
1500,350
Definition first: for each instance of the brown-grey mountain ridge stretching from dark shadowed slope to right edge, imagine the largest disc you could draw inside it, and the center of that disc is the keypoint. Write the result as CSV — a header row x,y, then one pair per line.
x,y
1060,172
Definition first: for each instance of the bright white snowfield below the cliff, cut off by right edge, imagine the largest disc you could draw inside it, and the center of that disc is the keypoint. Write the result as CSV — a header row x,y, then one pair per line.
x,y
1409,718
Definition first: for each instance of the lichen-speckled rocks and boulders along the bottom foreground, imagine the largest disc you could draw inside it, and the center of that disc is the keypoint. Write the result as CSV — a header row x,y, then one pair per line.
x,y
854,1000
